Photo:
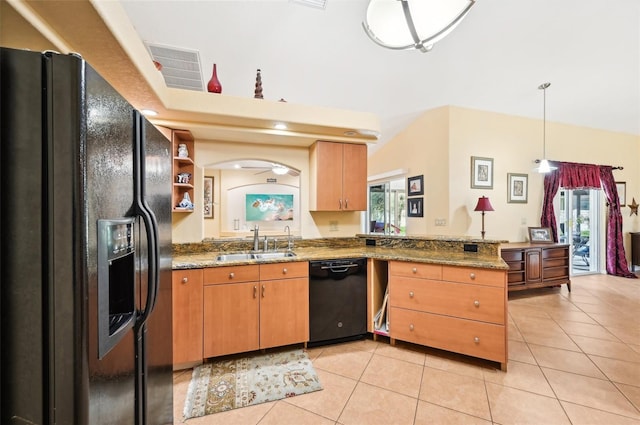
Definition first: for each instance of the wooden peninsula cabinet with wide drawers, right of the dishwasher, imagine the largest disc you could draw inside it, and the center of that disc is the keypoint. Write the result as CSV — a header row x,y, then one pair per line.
x,y
458,309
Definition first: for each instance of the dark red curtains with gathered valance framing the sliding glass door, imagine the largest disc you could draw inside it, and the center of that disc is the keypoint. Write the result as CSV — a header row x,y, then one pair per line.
x,y
571,175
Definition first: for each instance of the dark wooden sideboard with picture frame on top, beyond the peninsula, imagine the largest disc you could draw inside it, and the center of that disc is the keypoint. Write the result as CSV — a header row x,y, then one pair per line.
x,y
536,265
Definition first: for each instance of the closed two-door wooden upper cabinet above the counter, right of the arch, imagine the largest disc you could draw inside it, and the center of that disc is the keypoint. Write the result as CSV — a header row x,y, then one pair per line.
x,y
338,180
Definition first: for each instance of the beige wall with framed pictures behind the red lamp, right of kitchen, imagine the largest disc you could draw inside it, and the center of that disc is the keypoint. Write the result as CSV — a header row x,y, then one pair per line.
x,y
440,143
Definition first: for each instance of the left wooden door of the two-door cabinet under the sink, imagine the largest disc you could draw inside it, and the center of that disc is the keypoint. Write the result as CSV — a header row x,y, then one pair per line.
x,y
230,318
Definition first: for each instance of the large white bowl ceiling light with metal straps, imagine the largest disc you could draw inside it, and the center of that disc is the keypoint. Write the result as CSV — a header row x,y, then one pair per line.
x,y
415,24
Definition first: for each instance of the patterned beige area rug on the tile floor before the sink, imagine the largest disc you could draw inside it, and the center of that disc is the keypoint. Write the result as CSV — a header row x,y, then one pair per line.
x,y
230,384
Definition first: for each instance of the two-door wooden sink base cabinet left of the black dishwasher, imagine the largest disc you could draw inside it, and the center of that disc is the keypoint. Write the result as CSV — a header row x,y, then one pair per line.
x,y
254,307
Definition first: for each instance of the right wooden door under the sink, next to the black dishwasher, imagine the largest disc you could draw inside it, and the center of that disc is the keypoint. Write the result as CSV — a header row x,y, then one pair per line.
x,y
284,312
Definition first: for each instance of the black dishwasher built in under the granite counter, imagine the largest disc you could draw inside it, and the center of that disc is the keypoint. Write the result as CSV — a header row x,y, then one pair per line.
x,y
337,300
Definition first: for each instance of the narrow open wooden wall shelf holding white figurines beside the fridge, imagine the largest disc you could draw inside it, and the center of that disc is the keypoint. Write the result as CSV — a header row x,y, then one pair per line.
x,y
183,170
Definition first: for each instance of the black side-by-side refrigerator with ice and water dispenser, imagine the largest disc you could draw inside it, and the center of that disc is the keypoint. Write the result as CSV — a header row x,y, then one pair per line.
x,y
85,249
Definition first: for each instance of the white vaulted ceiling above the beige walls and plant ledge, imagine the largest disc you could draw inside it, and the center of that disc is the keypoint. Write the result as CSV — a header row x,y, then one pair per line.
x,y
494,60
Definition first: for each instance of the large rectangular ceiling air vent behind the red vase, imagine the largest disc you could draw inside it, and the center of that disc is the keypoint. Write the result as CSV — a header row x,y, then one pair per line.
x,y
179,67
